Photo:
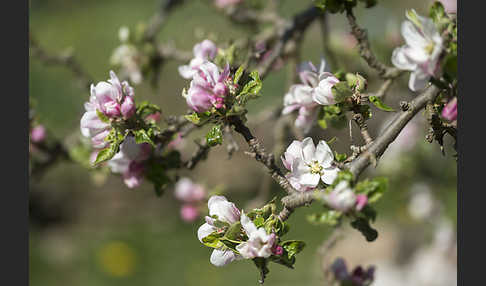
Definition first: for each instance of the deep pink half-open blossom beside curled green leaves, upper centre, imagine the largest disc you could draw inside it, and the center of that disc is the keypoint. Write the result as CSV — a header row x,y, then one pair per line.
x,y
208,87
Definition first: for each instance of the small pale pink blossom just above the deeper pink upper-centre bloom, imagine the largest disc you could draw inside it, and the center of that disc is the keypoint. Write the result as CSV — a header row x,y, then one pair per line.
x,y
203,51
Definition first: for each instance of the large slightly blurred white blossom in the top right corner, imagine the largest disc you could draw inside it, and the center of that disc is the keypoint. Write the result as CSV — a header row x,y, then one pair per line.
x,y
421,53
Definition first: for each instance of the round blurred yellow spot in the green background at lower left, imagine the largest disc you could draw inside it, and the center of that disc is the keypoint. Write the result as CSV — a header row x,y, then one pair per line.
x,y
117,259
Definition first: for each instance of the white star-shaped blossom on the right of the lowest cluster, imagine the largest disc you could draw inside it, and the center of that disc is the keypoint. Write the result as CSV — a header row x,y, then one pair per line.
x,y
259,243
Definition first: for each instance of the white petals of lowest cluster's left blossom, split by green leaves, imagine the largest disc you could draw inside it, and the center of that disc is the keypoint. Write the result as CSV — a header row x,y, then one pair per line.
x,y
226,212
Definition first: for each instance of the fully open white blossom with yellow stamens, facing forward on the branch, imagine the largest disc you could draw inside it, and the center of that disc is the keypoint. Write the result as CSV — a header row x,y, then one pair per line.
x,y
308,164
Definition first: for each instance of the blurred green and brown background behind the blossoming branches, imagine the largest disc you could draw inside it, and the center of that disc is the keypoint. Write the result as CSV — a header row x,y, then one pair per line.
x,y
86,230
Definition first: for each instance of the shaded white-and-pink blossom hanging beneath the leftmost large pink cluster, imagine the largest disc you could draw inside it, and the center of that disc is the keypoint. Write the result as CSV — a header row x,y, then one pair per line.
x,y
130,161
